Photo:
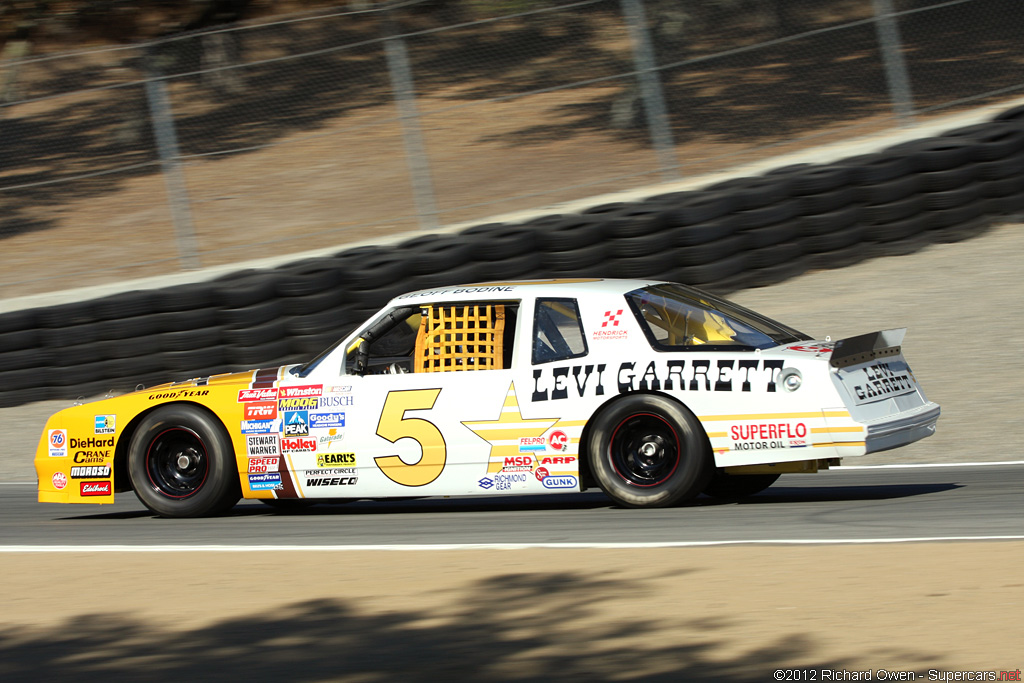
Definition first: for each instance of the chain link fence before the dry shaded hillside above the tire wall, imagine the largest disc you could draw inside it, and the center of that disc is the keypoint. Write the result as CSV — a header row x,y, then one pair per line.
x,y
310,133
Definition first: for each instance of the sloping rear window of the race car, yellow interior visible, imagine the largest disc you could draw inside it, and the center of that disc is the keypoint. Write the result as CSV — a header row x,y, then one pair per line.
x,y
677,318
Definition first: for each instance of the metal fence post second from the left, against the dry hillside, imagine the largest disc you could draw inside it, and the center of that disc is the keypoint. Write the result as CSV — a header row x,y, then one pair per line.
x,y
416,154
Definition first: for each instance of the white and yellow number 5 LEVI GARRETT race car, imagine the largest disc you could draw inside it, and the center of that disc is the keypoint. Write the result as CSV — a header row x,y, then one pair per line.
x,y
654,392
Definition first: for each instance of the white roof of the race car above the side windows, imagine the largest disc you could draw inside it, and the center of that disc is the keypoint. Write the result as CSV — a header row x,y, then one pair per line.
x,y
520,288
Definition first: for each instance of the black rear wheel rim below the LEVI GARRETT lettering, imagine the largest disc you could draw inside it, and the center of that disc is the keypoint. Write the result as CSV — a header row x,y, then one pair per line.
x,y
645,450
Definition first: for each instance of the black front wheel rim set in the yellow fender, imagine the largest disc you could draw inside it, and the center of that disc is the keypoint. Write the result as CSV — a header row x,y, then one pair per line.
x,y
178,463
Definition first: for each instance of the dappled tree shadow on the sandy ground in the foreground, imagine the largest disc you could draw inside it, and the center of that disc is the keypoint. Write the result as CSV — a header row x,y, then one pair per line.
x,y
517,627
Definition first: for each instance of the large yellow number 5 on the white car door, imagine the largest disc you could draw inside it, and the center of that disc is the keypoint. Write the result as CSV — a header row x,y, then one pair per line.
x,y
395,425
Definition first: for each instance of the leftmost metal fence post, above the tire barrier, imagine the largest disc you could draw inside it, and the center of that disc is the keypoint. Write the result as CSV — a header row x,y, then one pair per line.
x,y
167,148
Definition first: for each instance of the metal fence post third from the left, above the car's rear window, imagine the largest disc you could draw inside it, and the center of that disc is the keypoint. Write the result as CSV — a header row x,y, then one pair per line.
x,y
651,90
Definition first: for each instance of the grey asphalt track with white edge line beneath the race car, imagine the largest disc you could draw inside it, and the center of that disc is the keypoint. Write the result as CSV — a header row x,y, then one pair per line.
x,y
839,506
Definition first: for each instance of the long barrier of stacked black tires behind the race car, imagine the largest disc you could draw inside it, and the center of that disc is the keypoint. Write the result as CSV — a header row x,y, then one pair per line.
x,y
744,233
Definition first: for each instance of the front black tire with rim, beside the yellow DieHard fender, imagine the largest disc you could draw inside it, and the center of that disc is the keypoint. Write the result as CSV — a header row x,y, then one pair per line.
x,y
182,463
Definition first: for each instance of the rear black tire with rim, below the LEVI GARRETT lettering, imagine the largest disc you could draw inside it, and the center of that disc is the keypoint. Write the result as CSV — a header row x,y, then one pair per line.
x,y
647,451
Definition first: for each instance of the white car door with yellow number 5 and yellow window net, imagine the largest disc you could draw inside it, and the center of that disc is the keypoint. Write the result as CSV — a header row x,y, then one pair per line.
x,y
400,415
